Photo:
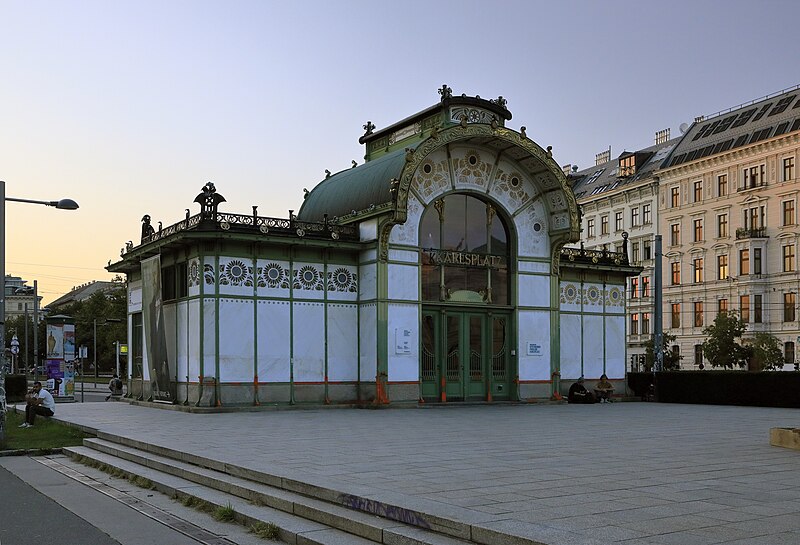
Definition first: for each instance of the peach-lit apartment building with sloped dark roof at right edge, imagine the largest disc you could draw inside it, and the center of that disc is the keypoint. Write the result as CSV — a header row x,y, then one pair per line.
x,y
727,210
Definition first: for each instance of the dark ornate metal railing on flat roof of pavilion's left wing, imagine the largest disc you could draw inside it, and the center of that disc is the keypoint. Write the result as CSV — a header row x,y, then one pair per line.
x,y
252,223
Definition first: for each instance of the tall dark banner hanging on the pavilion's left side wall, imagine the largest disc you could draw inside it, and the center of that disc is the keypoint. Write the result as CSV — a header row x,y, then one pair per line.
x,y
161,373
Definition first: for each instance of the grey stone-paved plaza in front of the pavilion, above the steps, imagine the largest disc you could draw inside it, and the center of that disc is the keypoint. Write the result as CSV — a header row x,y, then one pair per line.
x,y
632,473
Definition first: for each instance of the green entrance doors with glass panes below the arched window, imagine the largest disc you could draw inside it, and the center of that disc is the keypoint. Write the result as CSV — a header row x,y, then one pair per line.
x,y
465,356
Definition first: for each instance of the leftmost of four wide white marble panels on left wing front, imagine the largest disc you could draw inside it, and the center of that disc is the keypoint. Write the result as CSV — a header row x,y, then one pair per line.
x,y
236,346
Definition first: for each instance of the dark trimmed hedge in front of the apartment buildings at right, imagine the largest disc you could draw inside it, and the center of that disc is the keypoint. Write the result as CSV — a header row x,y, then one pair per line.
x,y
762,389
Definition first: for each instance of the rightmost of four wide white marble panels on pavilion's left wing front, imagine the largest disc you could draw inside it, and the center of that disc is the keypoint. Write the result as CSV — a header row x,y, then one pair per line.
x,y
342,342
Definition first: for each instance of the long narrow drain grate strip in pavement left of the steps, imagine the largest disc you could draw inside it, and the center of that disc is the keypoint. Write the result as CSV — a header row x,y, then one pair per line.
x,y
179,525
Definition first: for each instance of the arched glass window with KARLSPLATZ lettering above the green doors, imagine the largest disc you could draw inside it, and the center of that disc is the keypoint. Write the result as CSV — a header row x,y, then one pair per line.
x,y
464,252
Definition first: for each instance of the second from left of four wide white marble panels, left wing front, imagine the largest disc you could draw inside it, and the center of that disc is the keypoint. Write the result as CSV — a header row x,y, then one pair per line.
x,y
274,341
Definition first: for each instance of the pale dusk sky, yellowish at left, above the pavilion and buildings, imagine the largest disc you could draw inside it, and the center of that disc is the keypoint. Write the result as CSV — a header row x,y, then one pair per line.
x,y
130,107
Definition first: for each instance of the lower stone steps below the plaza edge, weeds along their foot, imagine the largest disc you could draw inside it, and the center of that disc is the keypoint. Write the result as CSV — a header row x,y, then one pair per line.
x,y
333,516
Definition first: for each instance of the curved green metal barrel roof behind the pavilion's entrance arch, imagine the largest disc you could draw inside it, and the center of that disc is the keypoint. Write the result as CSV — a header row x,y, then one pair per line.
x,y
354,189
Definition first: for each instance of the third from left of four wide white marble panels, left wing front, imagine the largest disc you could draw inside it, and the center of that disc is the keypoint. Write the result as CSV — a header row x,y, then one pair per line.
x,y
308,338
